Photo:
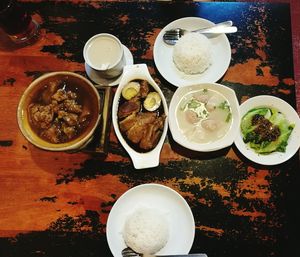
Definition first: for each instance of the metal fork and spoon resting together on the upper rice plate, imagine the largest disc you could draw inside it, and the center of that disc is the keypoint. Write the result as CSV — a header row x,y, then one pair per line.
x,y
171,36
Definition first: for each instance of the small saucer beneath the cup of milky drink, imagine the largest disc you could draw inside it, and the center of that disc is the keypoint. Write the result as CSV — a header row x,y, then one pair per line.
x,y
94,76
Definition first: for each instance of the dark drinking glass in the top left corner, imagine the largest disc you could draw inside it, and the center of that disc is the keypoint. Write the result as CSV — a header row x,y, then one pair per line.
x,y
16,22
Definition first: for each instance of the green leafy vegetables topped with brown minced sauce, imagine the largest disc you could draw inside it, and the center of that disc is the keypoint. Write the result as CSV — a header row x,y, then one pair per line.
x,y
266,130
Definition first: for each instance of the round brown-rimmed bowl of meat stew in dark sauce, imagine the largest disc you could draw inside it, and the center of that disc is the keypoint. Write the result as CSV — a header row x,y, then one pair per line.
x,y
59,111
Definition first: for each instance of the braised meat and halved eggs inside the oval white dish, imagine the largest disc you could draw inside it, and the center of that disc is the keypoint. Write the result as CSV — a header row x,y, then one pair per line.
x,y
141,115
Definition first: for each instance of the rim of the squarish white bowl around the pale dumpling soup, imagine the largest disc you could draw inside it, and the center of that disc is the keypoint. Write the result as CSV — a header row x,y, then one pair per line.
x,y
223,142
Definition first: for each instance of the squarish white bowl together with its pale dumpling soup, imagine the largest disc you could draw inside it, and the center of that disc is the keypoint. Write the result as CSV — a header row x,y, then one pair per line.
x,y
204,117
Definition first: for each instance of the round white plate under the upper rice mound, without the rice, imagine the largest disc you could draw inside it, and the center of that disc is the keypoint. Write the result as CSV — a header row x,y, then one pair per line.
x,y
163,55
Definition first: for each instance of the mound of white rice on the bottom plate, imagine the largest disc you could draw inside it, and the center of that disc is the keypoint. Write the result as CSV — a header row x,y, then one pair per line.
x,y
146,231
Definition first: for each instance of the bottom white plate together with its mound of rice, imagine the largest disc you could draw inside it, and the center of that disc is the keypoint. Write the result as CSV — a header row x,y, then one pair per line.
x,y
150,219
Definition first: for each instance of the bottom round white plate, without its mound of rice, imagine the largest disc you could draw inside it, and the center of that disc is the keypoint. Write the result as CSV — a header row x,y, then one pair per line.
x,y
177,213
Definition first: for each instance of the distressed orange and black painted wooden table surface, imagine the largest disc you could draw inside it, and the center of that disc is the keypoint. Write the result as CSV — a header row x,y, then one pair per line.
x,y
57,204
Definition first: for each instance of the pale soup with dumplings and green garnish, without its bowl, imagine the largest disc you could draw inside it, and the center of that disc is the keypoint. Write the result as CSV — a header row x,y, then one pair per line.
x,y
204,116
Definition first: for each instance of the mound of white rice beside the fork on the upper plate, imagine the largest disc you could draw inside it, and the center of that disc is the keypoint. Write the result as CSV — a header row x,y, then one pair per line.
x,y
192,53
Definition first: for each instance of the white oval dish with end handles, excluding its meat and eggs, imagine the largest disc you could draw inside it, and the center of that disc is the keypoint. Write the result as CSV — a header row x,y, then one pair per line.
x,y
140,160
